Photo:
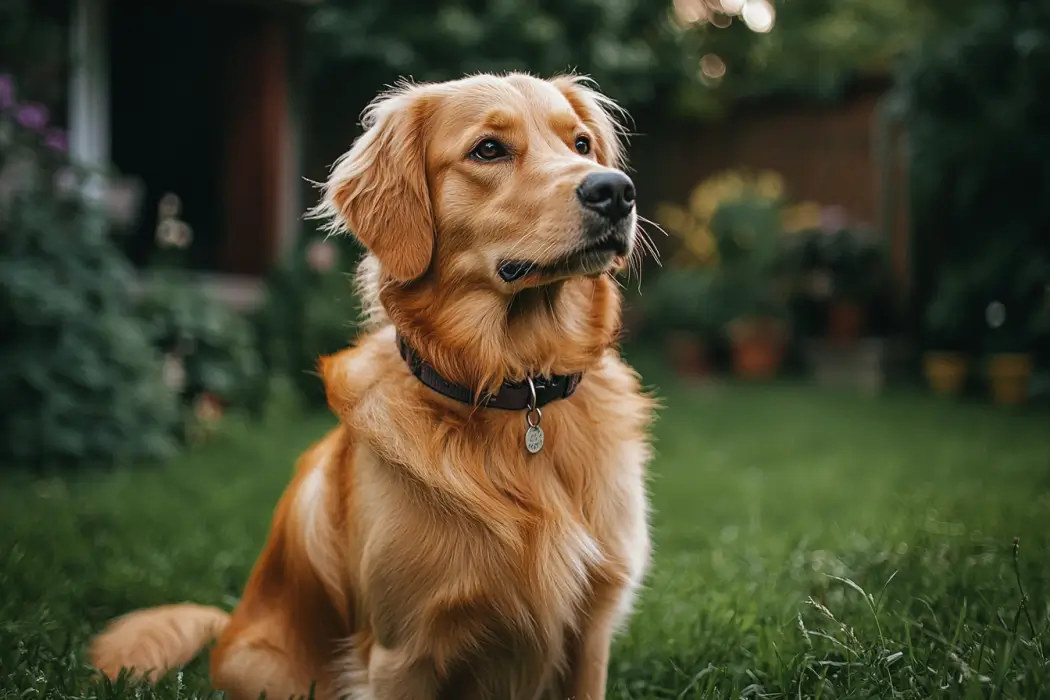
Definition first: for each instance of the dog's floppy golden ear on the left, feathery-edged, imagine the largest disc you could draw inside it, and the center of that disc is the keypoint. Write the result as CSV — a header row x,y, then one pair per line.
x,y
379,190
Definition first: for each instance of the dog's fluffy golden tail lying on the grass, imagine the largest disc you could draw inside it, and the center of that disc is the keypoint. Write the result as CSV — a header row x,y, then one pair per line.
x,y
153,642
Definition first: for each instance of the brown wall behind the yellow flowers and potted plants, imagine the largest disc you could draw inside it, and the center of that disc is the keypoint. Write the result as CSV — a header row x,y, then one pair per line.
x,y
831,155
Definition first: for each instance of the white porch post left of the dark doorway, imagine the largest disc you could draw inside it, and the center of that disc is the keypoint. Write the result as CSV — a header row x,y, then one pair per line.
x,y
90,84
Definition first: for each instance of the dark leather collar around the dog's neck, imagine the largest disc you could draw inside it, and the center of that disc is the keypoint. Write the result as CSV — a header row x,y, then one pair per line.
x,y
512,396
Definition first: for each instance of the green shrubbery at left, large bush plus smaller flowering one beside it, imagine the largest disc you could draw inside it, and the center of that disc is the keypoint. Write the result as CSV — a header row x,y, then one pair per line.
x,y
93,370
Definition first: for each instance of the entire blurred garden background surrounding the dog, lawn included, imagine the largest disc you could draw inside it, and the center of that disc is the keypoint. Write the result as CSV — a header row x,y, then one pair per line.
x,y
847,316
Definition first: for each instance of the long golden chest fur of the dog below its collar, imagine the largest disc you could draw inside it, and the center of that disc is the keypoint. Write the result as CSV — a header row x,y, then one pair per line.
x,y
490,555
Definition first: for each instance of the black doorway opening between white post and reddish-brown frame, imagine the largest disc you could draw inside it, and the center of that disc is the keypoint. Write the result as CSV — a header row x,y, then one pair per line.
x,y
166,122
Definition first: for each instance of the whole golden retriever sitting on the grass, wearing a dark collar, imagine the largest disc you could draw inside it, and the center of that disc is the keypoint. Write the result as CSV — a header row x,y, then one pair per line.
x,y
476,527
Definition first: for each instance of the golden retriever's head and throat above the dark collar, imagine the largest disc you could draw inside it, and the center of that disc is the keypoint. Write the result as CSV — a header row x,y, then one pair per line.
x,y
477,200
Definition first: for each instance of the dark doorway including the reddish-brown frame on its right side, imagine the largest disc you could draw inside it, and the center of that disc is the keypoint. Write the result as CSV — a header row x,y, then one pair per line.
x,y
200,109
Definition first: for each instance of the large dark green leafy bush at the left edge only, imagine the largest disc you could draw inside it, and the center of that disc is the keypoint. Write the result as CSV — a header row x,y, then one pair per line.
x,y
79,377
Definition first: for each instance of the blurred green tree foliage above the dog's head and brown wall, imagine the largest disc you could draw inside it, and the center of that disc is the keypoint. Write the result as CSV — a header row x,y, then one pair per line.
x,y
641,52
